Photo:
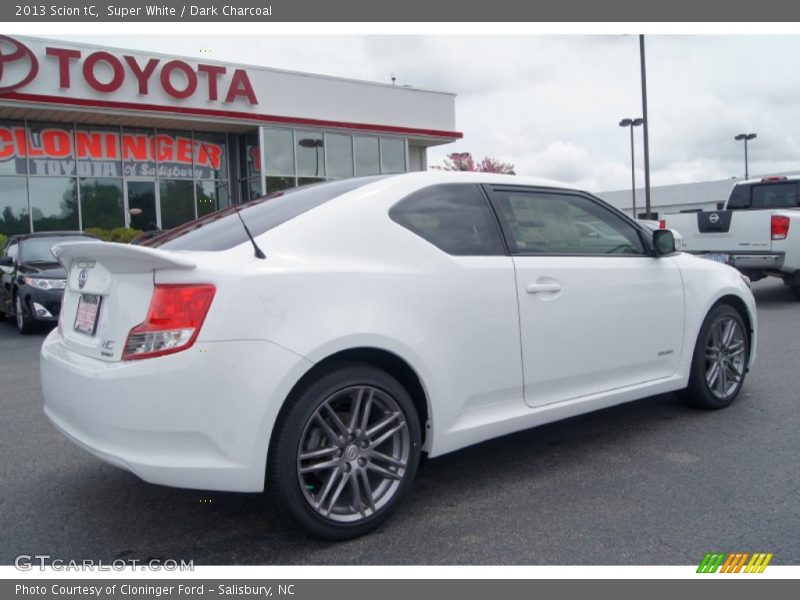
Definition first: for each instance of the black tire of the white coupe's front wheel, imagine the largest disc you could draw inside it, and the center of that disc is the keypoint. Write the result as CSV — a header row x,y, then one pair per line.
x,y
704,390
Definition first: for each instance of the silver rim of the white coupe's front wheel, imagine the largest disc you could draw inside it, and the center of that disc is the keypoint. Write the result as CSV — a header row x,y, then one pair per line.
x,y
725,356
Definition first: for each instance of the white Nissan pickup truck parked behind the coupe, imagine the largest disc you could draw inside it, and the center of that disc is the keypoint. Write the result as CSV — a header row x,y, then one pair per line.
x,y
758,232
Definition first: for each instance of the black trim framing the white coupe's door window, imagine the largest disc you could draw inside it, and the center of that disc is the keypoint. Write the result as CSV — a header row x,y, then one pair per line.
x,y
508,236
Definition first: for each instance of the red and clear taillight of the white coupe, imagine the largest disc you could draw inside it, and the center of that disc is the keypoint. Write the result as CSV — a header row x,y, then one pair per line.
x,y
173,321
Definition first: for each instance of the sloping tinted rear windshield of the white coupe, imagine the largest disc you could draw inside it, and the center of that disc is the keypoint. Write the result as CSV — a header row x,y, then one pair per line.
x,y
222,230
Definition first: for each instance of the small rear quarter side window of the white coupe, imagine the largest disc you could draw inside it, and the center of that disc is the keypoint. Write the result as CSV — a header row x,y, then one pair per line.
x,y
455,218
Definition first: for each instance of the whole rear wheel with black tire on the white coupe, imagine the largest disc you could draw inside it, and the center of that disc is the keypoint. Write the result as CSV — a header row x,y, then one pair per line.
x,y
373,475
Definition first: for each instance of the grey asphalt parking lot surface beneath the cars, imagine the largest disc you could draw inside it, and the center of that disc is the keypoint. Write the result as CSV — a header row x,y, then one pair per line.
x,y
651,482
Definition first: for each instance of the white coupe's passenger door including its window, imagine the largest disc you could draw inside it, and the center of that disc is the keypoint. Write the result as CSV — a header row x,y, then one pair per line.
x,y
597,311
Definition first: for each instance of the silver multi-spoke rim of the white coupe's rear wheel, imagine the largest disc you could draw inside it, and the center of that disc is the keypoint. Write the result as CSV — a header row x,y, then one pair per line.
x,y
353,454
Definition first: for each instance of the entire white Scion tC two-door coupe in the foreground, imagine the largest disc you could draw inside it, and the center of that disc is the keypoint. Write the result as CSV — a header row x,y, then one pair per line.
x,y
369,320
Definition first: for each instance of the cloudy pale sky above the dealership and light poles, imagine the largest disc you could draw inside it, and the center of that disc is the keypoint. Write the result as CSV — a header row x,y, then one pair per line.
x,y
551,104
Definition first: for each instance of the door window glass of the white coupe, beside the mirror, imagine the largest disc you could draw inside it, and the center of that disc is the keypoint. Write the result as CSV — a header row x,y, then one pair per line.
x,y
550,223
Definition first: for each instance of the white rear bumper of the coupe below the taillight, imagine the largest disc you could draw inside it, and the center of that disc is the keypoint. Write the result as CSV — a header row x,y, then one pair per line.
x,y
197,419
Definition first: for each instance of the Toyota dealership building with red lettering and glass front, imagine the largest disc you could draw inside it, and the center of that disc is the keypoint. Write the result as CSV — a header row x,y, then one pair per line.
x,y
99,137
